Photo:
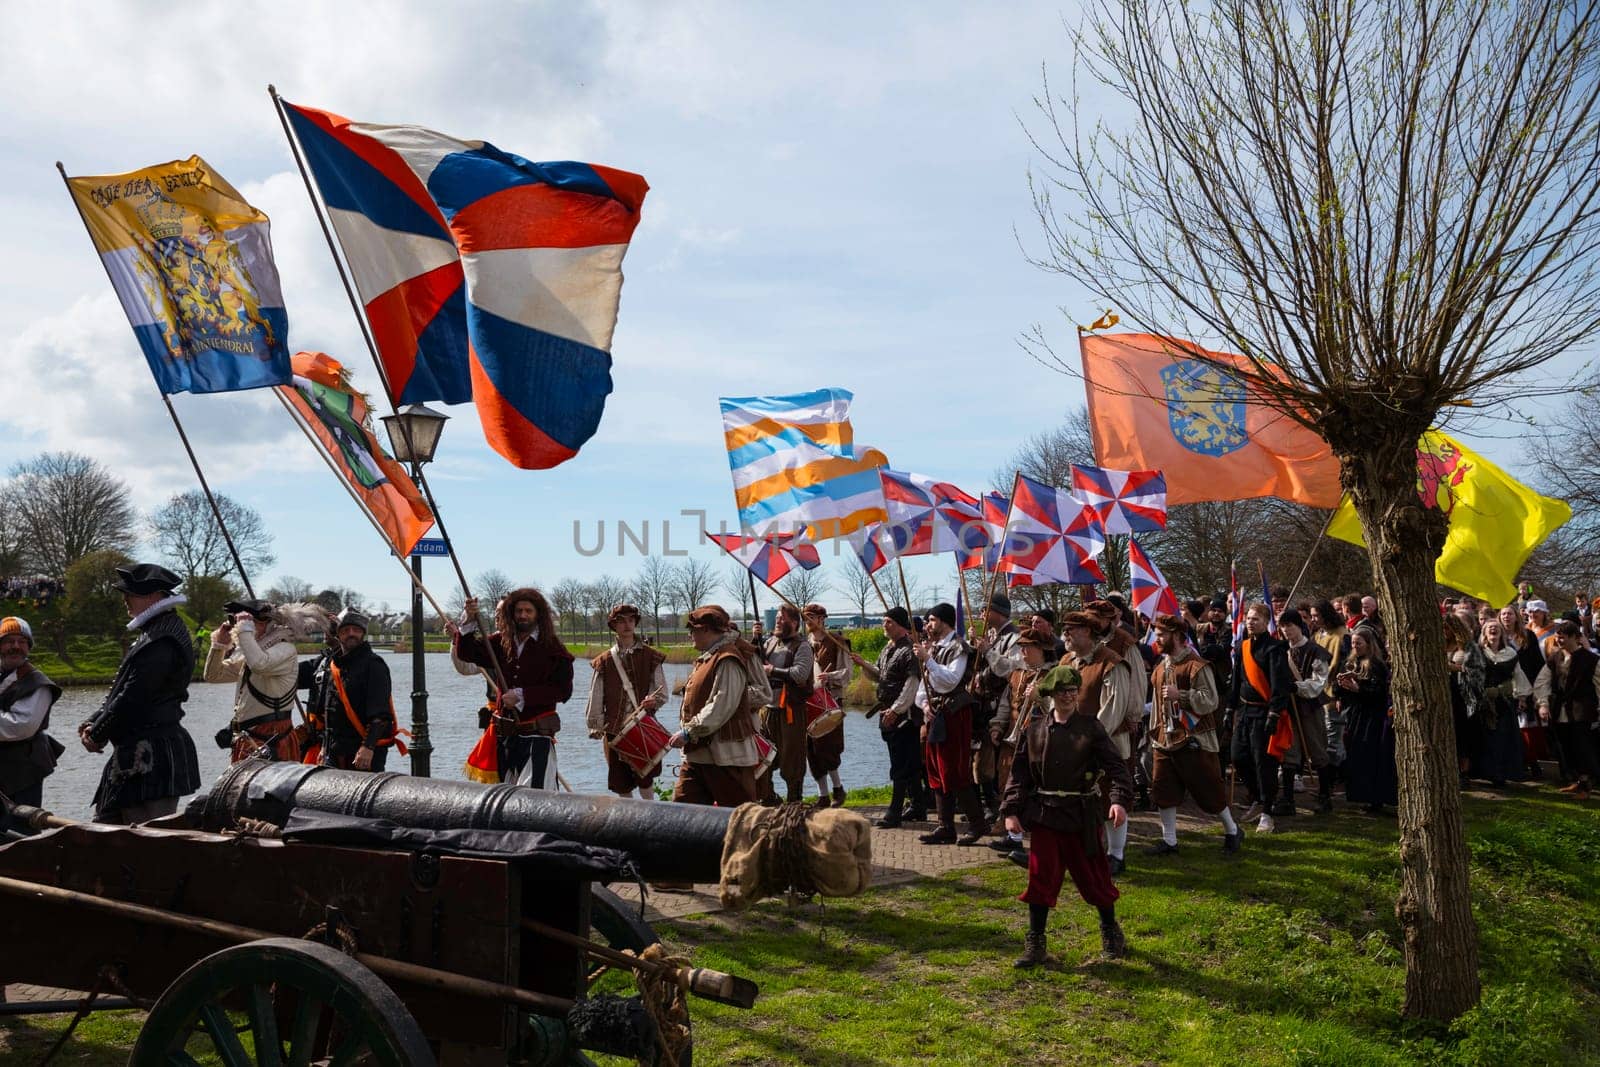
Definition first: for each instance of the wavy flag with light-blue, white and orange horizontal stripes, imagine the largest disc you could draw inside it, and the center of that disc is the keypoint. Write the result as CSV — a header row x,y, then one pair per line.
x,y
796,466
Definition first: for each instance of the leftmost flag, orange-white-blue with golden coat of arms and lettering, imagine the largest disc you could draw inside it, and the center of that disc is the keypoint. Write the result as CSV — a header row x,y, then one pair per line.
x,y
193,266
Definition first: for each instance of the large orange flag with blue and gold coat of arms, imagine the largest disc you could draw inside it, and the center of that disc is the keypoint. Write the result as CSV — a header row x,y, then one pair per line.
x,y
1156,409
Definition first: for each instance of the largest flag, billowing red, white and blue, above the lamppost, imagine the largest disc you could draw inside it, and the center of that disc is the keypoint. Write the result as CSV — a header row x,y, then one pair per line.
x,y
484,276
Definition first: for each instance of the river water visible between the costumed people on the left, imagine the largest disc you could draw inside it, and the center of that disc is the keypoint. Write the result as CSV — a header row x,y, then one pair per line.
x,y
454,725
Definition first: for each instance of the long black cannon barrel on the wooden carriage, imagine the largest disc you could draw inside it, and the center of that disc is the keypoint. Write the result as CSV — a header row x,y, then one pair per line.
x,y
668,842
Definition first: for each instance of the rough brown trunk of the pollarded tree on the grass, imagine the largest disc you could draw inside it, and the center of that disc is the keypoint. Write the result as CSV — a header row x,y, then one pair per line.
x,y
1404,540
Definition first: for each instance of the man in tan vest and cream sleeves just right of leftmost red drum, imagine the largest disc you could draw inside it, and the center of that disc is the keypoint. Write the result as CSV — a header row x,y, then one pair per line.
x,y
718,721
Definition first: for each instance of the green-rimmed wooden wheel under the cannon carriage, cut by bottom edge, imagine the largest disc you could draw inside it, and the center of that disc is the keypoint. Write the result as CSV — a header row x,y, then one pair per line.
x,y
338,1010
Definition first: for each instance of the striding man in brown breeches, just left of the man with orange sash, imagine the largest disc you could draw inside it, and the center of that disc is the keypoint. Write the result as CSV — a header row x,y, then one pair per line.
x,y
1183,738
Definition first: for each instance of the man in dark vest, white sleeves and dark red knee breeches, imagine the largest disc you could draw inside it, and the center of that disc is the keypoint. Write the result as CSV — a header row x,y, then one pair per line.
x,y
946,705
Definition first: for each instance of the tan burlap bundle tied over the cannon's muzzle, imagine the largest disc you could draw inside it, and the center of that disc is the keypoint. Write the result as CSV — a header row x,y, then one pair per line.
x,y
794,847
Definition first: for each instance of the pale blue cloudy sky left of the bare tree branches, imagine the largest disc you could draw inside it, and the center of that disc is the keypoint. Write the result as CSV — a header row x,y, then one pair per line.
x,y
839,198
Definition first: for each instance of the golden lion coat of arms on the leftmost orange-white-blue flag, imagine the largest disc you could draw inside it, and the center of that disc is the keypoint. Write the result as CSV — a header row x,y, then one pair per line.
x,y
198,284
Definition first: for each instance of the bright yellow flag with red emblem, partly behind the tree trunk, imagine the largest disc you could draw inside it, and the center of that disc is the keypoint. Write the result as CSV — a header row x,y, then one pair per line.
x,y
1495,521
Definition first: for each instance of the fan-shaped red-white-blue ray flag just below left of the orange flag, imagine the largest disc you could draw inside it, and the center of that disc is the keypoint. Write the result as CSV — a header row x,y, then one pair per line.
x,y
1050,538
